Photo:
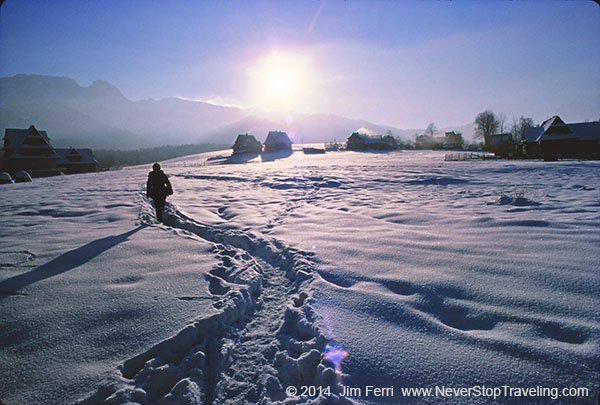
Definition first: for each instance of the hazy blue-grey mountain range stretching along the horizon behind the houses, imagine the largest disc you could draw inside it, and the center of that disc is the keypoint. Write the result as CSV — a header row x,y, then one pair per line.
x,y
100,116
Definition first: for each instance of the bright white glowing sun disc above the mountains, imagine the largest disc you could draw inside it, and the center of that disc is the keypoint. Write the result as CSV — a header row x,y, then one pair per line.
x,y
282,81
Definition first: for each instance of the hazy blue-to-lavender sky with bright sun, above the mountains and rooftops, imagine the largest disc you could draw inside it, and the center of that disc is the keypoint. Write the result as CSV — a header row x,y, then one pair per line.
x,y
398,63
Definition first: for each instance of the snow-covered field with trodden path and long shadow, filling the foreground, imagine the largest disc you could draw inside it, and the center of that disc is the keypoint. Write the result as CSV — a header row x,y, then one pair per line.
x,y
337,274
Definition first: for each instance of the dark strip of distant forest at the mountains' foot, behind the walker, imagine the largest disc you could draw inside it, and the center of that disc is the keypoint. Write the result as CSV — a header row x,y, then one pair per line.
x,y
115,159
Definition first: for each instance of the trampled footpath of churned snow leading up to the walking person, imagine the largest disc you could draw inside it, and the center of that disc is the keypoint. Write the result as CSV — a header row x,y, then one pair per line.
x,y
264,338
